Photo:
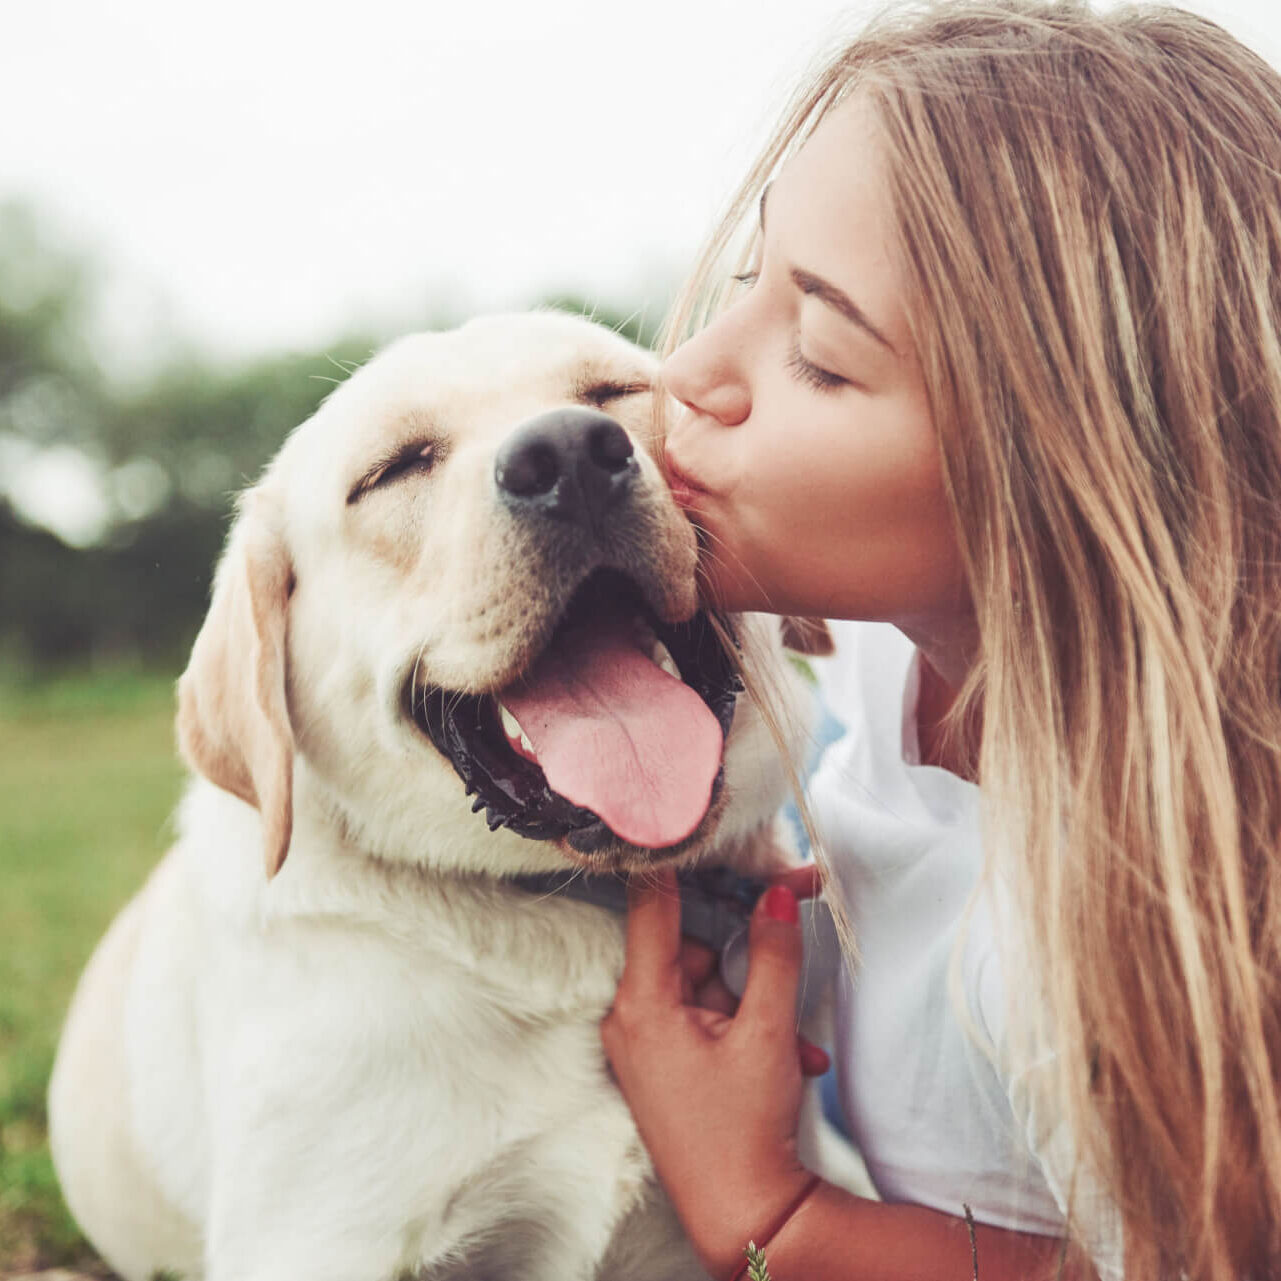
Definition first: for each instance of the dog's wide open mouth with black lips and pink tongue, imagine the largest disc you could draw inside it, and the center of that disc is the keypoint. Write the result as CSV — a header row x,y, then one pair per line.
x,y
616,733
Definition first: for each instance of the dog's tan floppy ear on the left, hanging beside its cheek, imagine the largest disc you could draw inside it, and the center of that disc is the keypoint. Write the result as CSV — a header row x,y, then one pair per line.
x,y
234,723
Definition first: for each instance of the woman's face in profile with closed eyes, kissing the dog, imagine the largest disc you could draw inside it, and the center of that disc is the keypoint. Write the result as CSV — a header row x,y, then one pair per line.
x,y
805,448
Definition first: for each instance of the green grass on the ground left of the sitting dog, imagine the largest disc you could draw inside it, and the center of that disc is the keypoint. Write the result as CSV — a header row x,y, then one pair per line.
x,y
89,777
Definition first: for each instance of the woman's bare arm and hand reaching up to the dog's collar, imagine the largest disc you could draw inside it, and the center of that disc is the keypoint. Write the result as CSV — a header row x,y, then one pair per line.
x,y
717,1101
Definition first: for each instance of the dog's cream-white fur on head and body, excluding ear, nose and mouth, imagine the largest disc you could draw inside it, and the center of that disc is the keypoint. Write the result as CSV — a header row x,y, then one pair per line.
x,y
385,1060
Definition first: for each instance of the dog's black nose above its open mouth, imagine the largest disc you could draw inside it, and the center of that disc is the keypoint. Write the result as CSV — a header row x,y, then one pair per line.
x,y
573,464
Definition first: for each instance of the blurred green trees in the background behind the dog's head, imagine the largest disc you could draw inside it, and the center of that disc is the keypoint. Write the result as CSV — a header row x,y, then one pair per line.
x,y
170,452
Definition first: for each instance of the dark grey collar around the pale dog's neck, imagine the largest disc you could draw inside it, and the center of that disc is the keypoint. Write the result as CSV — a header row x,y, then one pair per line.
x,y
715,902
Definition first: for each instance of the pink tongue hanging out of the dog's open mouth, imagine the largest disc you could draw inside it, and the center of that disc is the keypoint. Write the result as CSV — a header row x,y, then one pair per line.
x,y
617,735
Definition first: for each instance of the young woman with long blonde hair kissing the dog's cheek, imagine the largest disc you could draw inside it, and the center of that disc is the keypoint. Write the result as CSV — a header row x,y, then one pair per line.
x,y
1005,372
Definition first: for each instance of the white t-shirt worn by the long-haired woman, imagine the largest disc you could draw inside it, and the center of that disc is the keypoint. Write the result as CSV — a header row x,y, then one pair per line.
x,y
934,1119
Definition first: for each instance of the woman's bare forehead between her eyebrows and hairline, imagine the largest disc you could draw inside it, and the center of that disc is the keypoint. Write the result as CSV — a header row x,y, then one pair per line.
x,y
832,215
